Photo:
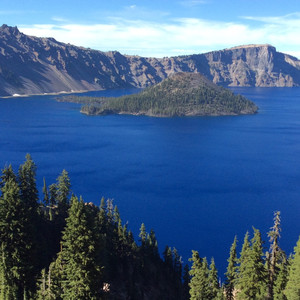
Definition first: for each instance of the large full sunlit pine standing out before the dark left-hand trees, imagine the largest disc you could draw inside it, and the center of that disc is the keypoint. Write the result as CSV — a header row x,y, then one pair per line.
x,y
81,272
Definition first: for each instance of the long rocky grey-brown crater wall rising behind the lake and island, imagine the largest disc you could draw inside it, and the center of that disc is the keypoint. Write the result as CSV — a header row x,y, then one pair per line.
x,y
31,65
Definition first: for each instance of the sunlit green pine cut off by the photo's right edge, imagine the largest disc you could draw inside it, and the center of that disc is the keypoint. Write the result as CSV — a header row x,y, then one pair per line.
x,y
292,290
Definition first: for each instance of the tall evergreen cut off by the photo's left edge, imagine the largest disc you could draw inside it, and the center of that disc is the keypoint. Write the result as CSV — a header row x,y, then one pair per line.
x,y
16,244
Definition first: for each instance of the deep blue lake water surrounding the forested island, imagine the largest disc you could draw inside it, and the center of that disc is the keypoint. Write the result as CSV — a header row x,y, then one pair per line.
x,y
196,181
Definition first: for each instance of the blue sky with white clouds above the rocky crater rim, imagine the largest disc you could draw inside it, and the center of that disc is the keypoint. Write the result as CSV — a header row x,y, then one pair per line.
x,y
159,28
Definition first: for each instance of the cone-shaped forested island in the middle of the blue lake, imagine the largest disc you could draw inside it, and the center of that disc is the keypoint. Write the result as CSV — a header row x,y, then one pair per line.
x,y
182,94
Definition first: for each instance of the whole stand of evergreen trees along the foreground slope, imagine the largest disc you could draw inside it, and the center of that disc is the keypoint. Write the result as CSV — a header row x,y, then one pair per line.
x,y
60,247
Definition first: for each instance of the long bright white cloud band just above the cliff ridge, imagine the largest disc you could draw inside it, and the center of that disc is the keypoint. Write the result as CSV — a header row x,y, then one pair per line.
x,y
176,37
